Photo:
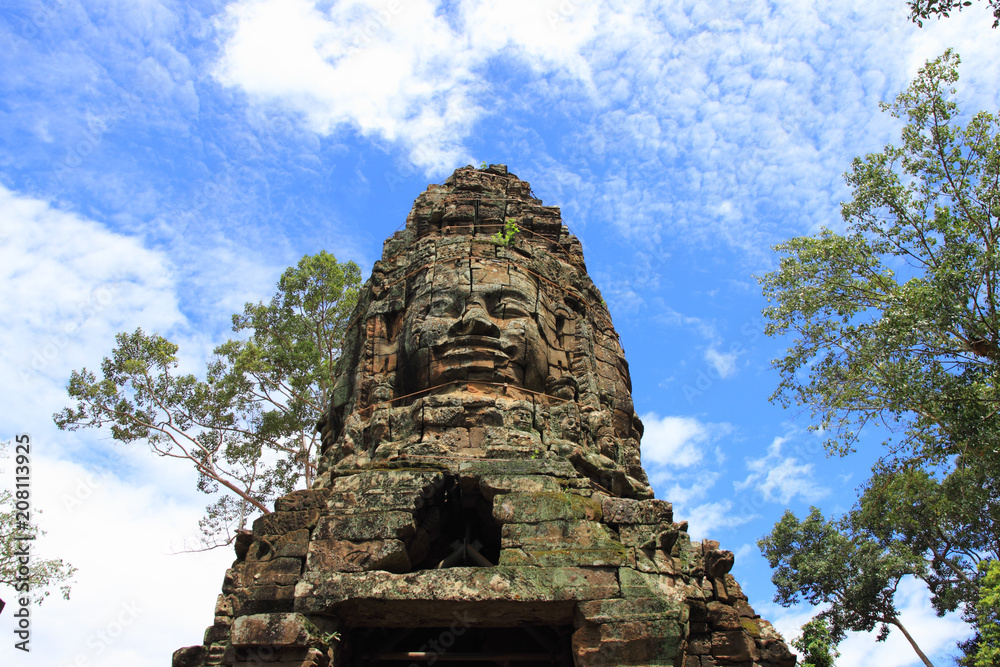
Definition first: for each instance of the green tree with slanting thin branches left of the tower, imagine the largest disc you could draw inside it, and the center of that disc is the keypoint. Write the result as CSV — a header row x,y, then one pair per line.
x,y
249,427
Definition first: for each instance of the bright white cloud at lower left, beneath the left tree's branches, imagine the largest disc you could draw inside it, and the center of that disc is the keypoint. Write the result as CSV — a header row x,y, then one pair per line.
x,y
131,598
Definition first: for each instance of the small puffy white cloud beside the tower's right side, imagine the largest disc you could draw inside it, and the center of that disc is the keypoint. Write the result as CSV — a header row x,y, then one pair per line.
x,y
676,441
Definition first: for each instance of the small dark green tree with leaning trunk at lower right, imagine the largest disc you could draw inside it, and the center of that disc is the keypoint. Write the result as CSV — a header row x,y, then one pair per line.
x,y
826,562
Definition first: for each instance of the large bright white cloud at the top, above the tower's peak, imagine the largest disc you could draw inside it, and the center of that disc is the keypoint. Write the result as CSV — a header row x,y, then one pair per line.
x,y
402,71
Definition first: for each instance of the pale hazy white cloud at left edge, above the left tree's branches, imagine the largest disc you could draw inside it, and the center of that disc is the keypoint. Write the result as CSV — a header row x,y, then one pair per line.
x,y
69,286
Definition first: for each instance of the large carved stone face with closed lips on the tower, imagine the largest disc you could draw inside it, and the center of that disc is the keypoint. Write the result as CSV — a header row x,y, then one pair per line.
x,y
487,329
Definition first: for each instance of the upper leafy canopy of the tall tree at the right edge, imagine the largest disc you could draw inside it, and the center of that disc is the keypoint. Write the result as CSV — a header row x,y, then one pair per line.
x,y
896,321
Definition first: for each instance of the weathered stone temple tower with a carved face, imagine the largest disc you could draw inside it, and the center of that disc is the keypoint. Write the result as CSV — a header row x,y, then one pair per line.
x,y
480,498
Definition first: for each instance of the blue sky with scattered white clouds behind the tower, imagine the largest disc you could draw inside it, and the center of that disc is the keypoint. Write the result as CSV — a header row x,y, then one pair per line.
x,y
162,162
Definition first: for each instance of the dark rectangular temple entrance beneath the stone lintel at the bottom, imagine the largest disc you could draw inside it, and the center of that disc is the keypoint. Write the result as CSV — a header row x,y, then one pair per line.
x,y
457,645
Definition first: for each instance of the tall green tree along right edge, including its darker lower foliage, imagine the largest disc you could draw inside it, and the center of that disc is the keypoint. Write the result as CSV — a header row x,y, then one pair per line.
x,y
894,324
